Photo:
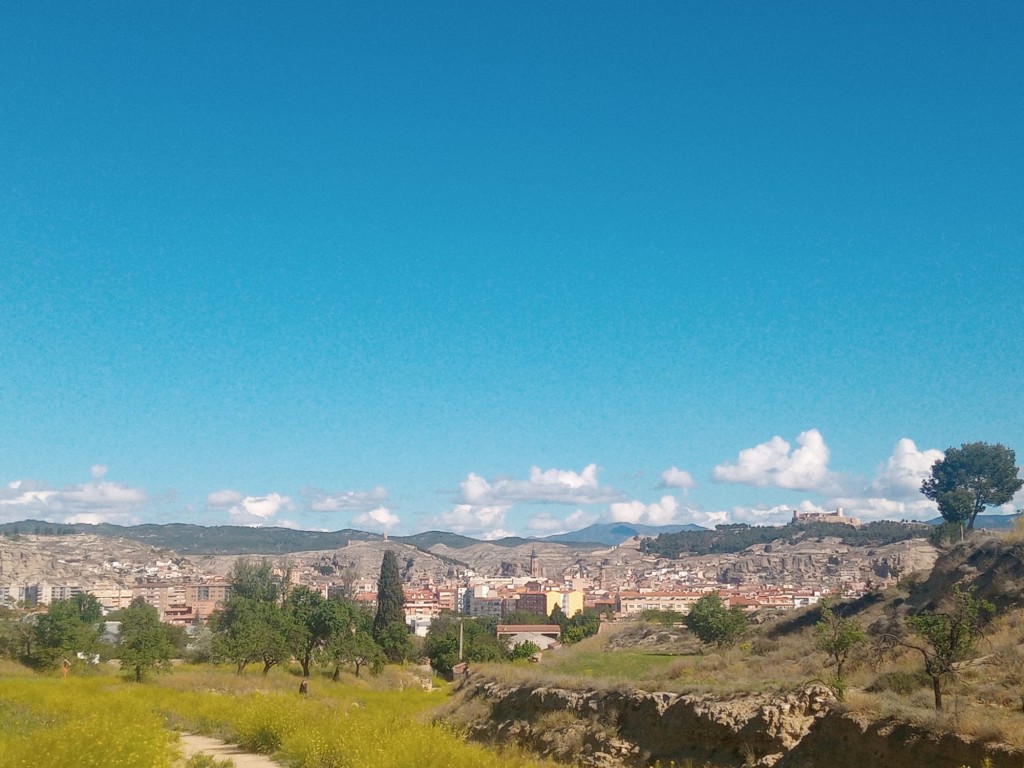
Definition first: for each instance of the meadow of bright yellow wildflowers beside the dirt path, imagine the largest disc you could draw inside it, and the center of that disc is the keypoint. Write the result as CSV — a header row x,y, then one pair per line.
x,y
101,721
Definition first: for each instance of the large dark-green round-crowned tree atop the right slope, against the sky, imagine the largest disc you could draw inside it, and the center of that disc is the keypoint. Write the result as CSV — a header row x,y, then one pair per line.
x,y
972,478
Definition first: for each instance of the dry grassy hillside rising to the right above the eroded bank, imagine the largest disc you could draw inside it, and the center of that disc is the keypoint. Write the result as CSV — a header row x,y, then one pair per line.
x,y
884,678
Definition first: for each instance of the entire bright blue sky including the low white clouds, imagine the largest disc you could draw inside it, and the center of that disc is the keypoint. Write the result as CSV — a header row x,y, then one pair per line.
x,y
498,270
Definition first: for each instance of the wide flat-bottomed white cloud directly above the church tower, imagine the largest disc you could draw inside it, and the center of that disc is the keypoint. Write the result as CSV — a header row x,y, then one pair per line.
x,y
544,487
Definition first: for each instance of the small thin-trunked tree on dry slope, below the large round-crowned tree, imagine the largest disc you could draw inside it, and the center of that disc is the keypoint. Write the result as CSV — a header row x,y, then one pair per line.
x,y
946,639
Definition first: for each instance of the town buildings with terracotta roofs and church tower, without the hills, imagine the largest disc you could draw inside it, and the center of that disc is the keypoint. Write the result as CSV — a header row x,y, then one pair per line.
x,y
188,600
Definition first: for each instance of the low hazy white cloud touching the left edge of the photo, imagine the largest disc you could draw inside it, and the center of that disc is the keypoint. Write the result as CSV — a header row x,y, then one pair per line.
x,y
100,501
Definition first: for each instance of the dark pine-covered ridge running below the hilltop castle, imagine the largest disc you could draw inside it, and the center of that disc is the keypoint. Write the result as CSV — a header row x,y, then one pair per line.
x,y
736,538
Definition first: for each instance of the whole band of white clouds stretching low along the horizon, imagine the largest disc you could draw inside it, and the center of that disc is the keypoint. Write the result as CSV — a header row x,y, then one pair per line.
x,y
508,506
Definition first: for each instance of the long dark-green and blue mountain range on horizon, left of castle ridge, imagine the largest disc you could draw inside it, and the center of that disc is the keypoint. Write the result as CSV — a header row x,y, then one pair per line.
x,y
234,540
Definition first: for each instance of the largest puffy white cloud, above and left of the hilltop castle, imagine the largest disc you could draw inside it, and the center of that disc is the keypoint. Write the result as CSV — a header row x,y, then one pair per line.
x,y
774,464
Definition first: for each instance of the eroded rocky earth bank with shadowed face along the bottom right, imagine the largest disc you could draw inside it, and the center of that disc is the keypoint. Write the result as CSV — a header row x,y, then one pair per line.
x,y
633,729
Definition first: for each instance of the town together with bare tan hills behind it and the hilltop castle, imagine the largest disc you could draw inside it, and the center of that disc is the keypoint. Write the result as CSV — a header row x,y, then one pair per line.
x,y
618,582
